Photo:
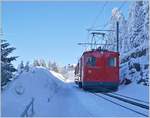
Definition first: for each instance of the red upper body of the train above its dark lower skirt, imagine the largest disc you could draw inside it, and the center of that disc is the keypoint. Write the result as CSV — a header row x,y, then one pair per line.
x,y
100,71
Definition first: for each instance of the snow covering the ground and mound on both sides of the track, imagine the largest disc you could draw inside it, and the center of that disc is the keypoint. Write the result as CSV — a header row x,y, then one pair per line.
x,y
56,96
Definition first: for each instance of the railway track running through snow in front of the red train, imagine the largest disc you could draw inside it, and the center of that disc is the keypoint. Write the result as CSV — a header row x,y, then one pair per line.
x,y
125,102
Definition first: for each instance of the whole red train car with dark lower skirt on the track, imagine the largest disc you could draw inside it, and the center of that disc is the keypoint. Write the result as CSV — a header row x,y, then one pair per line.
x,y
98,69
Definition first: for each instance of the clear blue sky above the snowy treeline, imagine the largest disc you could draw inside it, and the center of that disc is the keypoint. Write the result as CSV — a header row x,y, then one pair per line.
x,y
51,30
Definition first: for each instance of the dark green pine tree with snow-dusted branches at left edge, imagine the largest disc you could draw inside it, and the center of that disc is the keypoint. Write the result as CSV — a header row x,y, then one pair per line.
x,y
7,68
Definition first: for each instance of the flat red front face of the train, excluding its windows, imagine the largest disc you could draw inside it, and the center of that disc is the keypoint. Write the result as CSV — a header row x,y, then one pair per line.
x,y
101,72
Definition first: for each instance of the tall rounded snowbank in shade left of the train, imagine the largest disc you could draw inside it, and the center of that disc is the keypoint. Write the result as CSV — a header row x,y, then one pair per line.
x,y
38,83
